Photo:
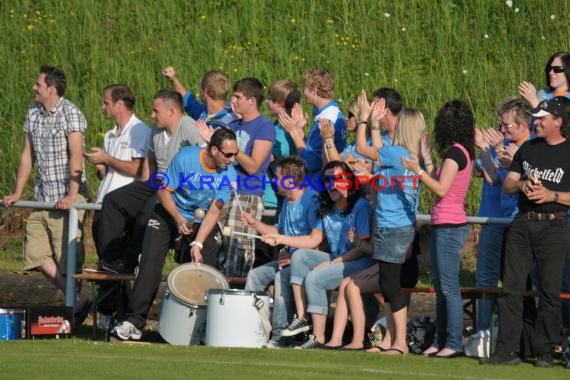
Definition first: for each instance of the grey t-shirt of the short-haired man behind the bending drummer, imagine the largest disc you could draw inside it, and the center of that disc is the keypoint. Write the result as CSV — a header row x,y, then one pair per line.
x,y
165,148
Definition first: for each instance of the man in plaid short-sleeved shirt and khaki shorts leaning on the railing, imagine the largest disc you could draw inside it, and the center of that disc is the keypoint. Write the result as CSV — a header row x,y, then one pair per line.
x,y
54,134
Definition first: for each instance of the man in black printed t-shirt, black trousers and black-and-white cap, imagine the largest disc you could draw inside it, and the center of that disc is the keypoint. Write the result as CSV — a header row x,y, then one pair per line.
x,y
540,174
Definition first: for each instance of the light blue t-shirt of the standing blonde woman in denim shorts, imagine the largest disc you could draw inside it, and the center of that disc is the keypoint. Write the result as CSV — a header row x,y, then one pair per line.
x,y
398,189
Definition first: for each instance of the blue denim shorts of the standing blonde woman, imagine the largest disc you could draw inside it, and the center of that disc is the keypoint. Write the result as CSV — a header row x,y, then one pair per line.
x,y
391,244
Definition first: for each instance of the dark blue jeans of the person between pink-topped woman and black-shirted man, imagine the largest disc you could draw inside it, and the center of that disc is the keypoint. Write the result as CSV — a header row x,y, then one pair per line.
x,y
489,251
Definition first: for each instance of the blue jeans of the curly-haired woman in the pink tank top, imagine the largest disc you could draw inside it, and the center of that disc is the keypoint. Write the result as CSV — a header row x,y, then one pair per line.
x,y
446,246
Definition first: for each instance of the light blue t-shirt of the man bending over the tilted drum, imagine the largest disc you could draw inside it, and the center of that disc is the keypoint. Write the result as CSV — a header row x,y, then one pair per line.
x,y
193,185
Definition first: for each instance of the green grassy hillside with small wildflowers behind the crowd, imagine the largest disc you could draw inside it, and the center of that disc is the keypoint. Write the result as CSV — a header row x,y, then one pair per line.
x,y
430,51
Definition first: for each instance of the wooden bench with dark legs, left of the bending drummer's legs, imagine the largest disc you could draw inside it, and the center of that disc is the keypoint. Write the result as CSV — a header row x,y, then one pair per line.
x,y
115,282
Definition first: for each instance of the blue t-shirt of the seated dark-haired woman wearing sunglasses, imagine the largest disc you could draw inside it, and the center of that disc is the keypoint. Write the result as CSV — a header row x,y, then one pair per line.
x,y
335,226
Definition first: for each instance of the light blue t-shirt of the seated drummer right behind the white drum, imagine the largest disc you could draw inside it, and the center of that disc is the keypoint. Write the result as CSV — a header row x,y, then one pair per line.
x,y
299,217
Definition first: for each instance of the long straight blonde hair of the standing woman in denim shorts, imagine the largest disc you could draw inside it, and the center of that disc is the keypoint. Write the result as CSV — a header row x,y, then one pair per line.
x,y
409,129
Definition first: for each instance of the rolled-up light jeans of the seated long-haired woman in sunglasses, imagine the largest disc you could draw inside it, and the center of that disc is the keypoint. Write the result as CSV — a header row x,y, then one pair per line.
x,y
318,281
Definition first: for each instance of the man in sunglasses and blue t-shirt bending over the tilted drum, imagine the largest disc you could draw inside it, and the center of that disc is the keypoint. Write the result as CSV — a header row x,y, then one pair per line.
x,y
197,178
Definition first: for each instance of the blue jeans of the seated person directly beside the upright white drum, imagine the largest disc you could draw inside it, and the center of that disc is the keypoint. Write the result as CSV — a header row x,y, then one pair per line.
x,y
260,278
